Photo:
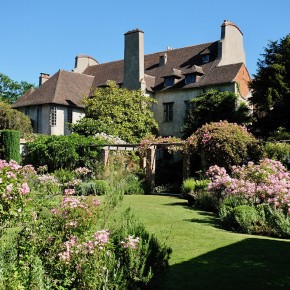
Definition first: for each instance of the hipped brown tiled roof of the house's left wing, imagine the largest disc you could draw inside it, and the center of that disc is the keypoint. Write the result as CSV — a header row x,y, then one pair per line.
x,y
63,88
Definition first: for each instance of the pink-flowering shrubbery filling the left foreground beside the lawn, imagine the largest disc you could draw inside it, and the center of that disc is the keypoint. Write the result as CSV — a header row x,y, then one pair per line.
x,y
53,241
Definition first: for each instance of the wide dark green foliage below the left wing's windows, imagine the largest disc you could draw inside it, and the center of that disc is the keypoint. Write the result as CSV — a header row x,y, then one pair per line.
x,y
67,152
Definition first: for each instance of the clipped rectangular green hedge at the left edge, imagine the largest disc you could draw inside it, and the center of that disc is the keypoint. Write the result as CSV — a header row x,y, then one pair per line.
x,y
10,140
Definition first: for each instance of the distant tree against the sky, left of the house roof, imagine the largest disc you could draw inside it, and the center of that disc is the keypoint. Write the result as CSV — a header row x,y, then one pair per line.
x,y
11,90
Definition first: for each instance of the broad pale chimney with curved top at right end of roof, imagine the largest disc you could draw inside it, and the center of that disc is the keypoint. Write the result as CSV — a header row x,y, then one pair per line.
x,y
231,48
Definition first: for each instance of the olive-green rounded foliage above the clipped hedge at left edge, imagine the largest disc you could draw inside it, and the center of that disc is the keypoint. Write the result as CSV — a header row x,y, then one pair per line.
x,y
13,120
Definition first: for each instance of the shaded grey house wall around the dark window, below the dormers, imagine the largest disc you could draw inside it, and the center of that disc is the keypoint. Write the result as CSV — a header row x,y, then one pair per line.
x,y
179,98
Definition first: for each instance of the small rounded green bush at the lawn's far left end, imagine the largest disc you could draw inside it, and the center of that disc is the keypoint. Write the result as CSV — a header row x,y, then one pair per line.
x,y
93,187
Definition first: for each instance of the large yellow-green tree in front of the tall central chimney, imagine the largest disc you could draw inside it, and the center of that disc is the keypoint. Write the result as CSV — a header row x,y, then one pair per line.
x,y
118,112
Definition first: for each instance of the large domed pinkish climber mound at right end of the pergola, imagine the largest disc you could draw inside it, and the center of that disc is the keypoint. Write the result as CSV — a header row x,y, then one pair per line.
x,y
224,144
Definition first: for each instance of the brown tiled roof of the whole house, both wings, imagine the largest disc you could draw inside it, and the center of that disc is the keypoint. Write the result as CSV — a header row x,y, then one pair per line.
x,y
68,87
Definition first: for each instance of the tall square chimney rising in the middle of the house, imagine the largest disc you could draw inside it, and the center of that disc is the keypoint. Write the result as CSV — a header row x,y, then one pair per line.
x,y
134,59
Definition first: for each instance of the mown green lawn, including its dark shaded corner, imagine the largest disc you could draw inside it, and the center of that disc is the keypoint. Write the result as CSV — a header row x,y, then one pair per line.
x,y
204,255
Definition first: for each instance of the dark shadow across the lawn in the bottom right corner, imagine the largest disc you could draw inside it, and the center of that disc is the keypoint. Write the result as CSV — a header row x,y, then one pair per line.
x,y
249,264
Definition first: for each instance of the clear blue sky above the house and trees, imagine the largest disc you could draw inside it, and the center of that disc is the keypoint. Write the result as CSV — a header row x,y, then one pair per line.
x,y
45,36
